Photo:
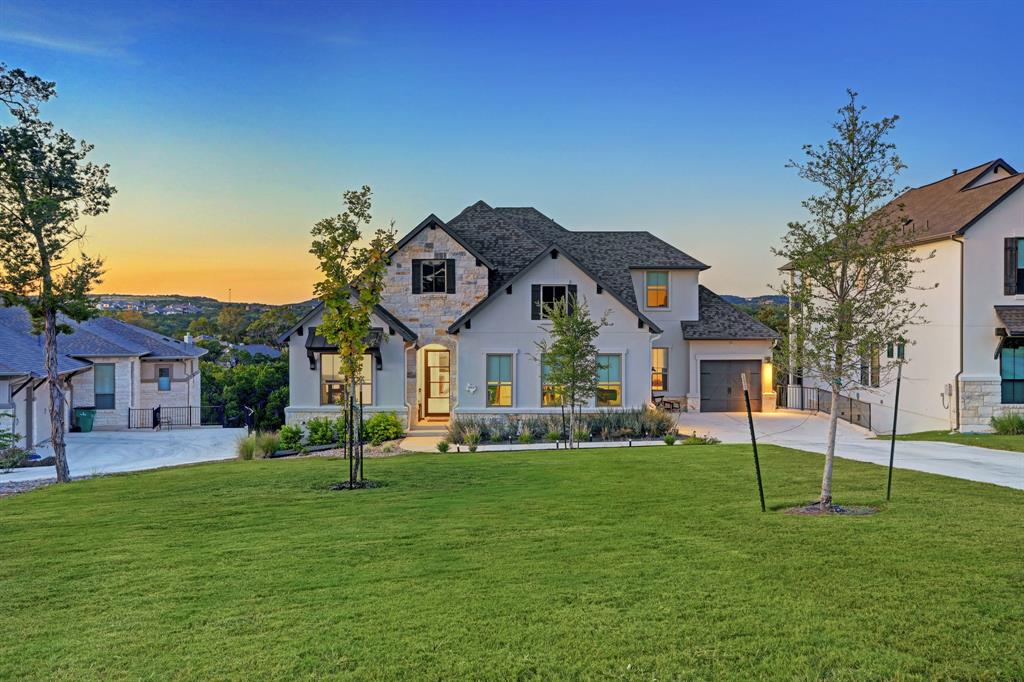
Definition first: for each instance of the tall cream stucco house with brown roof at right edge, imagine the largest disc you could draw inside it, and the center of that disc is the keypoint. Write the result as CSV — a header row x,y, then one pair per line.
x,y
966,365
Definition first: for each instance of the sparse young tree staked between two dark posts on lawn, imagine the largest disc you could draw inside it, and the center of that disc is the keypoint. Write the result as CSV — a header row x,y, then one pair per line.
x,y
851,264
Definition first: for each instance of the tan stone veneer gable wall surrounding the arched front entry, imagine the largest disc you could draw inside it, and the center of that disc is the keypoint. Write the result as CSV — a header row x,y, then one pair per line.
x,y
431,315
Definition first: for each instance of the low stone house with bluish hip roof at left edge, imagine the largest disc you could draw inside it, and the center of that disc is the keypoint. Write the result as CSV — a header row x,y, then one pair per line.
x,y
106,364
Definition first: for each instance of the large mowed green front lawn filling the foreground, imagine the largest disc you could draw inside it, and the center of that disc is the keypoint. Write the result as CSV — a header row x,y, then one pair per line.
x,y
635,564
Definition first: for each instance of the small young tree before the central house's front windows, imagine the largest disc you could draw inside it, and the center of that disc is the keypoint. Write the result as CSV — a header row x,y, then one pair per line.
x,y
571,356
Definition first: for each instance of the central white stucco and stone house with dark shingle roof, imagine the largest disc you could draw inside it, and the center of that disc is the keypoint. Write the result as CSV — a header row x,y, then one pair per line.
x,y
462,312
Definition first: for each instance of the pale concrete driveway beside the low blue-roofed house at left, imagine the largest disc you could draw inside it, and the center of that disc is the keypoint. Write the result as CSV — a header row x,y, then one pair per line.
x,y
109,452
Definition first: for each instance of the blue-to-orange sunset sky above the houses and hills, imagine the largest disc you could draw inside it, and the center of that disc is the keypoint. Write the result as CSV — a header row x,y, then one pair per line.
x,y
232,127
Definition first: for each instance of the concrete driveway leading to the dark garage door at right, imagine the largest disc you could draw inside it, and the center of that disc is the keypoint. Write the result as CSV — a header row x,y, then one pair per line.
x,y
807,432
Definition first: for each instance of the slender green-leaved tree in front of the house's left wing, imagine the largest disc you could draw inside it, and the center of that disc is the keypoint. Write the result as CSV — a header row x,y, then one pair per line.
x,y
353,272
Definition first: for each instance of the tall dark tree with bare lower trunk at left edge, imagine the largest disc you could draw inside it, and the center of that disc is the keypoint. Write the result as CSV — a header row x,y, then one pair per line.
x,y
47,185
